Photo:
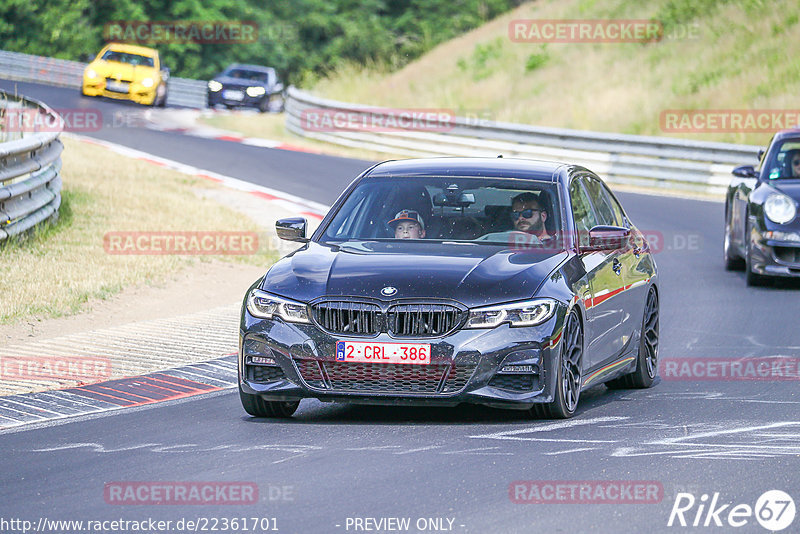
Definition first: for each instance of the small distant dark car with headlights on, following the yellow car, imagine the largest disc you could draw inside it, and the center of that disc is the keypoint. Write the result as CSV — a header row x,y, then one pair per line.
x,y
246,86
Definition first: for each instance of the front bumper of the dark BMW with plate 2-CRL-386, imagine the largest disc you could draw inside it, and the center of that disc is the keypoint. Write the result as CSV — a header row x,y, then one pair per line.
x,y
465,367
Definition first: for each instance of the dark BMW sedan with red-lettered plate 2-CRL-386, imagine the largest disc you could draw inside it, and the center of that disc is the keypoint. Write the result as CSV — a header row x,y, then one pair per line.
x,y
469,310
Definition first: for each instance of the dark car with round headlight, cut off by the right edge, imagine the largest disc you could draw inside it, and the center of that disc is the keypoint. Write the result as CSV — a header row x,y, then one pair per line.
x,y
762,229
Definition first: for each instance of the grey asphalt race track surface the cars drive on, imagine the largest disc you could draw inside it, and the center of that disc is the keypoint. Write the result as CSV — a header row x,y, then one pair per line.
x,y
332,462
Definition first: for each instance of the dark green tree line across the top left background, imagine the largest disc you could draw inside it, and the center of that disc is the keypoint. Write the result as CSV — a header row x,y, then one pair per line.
x,y
298,37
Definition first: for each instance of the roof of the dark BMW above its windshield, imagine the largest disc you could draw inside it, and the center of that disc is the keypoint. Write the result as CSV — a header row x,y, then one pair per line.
x,y
478,167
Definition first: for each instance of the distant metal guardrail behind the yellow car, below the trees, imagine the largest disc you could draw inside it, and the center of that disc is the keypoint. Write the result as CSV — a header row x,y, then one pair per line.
x,y
65,73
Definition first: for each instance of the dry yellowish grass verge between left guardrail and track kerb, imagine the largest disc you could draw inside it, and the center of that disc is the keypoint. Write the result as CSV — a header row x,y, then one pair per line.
x,y
58,268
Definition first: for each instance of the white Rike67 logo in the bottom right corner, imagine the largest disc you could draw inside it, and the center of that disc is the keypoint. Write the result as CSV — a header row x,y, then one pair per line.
x,y
774,510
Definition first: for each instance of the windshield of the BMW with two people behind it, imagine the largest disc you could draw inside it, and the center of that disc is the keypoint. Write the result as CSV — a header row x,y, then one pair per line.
x,y
481,211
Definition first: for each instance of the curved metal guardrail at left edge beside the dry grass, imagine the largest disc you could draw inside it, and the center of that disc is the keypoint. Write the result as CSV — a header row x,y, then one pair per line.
x,y
30,164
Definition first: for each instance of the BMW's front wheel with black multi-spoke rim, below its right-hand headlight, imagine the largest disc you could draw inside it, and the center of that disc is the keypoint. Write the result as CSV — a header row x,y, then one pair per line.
x,y
568,383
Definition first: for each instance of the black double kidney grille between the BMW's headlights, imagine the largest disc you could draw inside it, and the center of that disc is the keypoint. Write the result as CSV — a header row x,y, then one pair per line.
x,y
400,320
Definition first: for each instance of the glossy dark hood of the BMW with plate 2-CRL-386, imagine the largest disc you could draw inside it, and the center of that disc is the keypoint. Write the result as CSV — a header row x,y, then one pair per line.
x,y
471,274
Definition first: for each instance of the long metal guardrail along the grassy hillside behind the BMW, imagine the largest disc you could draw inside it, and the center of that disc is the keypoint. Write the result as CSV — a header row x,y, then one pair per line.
x,y
626,159
